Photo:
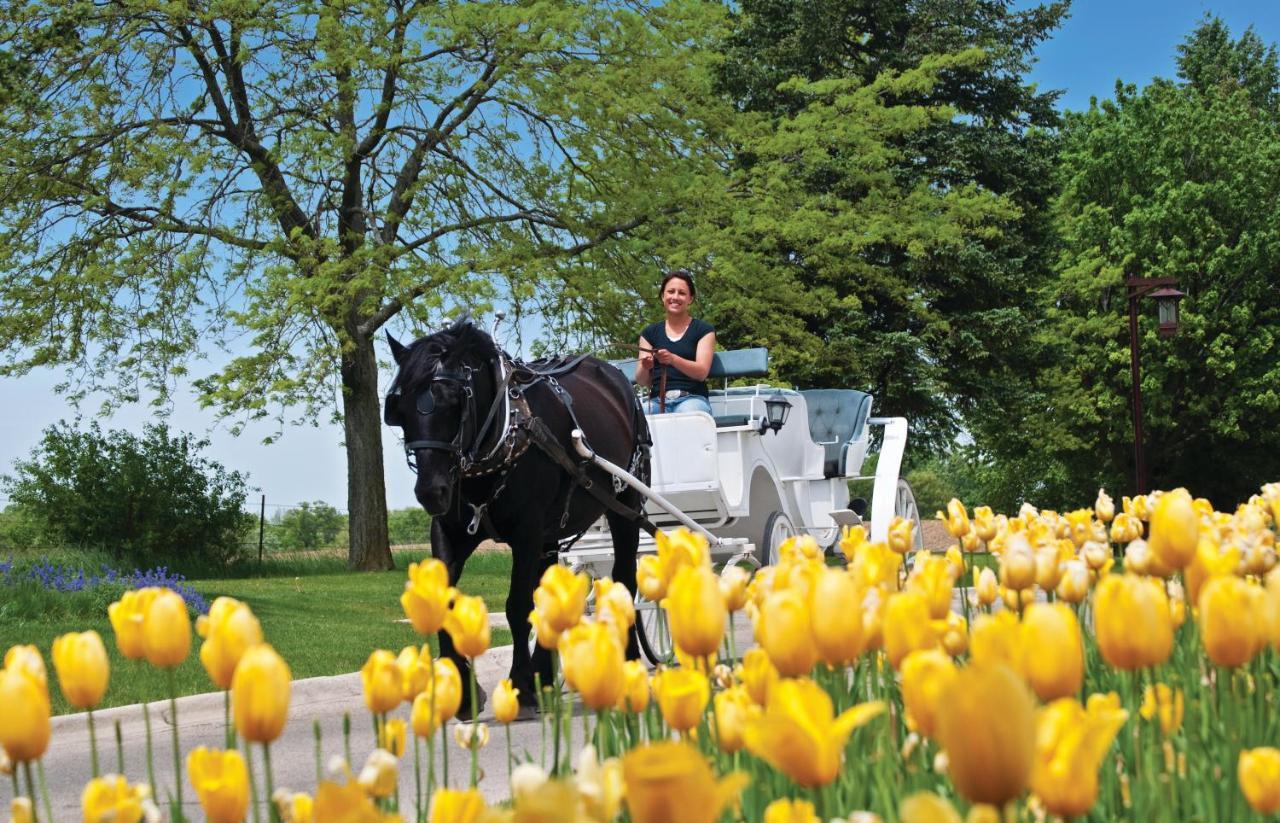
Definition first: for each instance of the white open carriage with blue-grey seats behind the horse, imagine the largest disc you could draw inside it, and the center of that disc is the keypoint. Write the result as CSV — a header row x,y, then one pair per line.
x,y
747,486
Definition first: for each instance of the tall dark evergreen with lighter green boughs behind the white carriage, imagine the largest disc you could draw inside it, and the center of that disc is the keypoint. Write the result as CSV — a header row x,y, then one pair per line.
x,y
922,301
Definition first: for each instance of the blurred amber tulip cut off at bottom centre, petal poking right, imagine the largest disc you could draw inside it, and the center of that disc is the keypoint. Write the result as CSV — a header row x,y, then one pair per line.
x,y
671,783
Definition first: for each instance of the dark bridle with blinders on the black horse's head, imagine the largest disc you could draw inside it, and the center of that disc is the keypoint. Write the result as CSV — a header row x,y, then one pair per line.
x,y
464,459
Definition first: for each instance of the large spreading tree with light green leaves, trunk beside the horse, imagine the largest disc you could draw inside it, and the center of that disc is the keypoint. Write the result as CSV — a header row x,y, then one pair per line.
x,y
296,176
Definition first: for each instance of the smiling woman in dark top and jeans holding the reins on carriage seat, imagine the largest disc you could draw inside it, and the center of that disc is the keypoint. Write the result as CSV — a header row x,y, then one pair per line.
x,y
679,349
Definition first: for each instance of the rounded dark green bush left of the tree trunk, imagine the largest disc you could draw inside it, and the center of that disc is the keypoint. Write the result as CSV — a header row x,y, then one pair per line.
x,y
148,500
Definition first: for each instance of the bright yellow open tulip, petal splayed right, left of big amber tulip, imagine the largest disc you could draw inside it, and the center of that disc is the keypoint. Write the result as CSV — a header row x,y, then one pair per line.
x,y
801,735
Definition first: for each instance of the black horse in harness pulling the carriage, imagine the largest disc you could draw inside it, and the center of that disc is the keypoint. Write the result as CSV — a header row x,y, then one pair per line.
x,y
491,443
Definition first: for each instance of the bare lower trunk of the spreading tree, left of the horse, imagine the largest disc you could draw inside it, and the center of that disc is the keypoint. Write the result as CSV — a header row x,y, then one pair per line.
x,y
369,548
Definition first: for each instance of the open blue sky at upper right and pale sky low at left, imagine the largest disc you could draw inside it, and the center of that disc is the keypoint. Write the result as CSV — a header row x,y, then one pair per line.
x,y
1104,40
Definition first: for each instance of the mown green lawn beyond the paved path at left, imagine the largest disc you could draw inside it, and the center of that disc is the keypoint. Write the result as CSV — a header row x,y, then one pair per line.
x,y
321,619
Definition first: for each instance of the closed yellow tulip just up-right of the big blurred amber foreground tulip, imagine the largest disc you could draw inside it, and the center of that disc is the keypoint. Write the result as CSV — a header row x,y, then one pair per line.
x,y
1053,651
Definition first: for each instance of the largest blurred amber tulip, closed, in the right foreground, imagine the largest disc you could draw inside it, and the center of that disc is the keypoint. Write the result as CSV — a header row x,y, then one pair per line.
x,y
989,733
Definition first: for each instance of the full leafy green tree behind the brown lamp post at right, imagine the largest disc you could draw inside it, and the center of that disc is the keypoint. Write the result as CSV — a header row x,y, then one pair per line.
x,y
1177,180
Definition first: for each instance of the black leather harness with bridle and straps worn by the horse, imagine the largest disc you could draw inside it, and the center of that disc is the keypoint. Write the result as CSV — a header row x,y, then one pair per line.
x,y
523,428
